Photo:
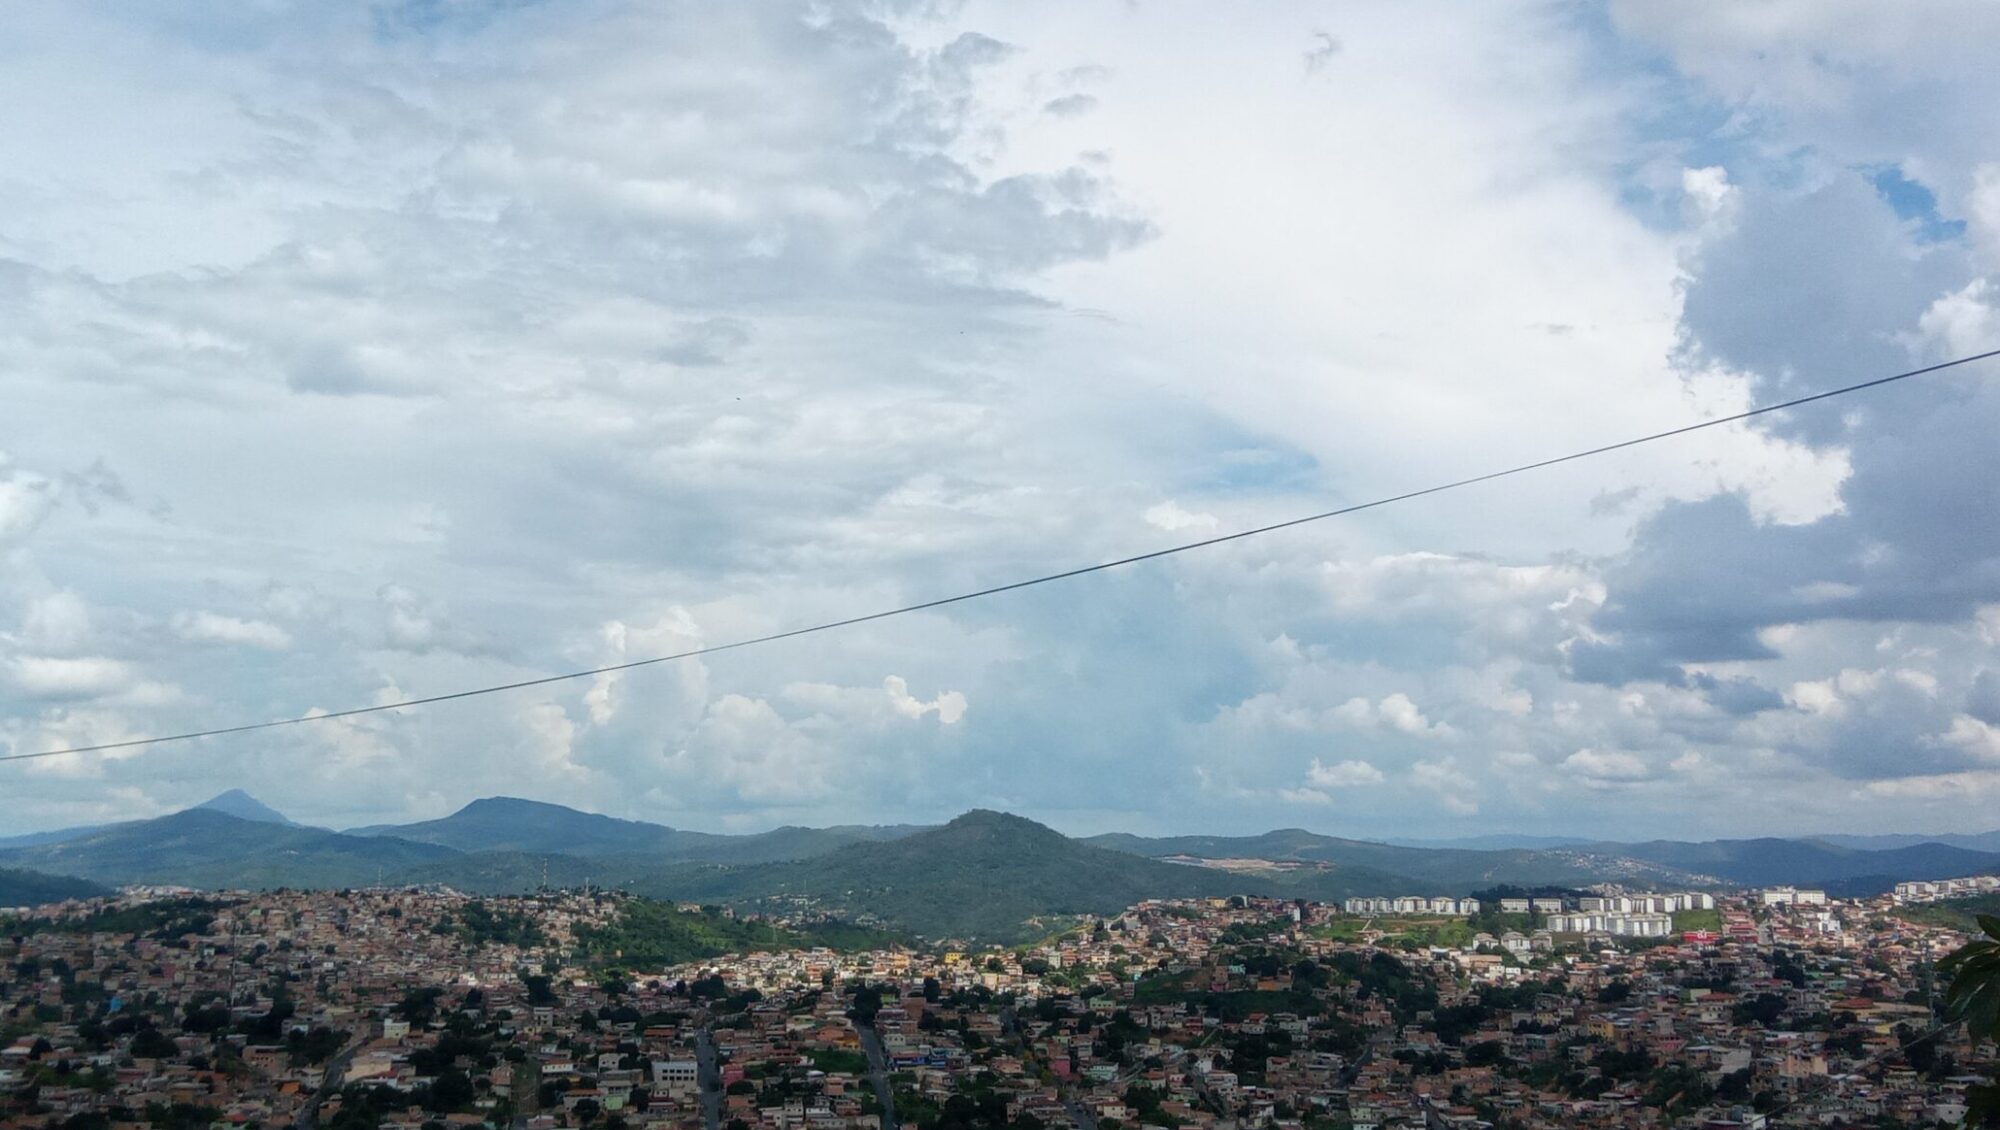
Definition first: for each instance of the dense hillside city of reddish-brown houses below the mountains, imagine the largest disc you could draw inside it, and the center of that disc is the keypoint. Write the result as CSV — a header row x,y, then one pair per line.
x,y
417,1009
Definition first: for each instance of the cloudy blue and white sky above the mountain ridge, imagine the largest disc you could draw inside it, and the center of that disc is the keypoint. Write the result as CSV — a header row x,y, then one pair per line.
x,y
371,351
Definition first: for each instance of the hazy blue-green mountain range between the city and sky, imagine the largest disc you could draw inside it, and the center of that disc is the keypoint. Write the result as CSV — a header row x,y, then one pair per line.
x,y
981,875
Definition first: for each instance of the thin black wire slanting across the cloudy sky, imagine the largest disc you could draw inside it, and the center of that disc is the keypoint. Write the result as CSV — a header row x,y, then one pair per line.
x,y
999,589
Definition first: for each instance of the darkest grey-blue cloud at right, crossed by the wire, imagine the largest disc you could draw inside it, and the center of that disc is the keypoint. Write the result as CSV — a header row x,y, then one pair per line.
x,y
1813,291
